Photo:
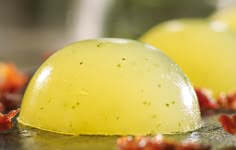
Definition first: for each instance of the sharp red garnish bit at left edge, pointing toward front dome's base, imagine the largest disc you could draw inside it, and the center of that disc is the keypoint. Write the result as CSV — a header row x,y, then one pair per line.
x,y
6,120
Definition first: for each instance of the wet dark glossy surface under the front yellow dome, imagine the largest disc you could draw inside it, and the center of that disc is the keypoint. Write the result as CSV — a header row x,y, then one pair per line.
x,y
24,138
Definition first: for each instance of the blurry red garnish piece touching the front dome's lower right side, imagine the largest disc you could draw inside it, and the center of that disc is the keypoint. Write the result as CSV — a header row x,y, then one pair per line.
x,y
206,100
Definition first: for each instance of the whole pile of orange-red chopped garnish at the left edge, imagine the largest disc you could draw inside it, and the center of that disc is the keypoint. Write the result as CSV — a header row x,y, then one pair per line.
x,y
12,82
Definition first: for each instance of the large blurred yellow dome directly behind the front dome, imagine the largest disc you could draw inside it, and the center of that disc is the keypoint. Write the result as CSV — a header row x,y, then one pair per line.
x,y
205,51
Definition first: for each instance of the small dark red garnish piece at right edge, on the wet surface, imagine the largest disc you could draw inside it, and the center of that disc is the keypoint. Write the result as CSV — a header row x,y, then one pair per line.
x,y
229,124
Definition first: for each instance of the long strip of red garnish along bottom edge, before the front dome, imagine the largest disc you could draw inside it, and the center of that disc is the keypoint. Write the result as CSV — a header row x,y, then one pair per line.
x,y
156,143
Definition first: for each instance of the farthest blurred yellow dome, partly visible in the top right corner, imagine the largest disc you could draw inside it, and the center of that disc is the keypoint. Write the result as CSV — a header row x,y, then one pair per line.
x,y
227,16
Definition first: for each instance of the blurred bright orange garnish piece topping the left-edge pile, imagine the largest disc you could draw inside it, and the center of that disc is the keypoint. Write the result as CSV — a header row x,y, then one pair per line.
x,y
11,79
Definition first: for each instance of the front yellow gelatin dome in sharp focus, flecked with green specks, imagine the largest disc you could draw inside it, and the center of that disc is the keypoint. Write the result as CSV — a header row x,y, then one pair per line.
x,y
110,87
